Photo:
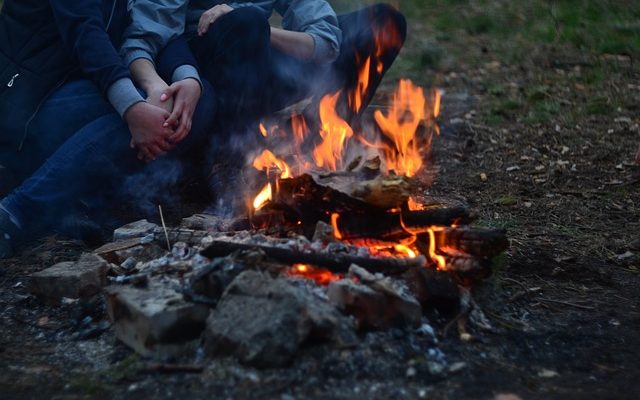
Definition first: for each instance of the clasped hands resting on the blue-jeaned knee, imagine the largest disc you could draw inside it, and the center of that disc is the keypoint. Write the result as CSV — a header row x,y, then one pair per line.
x,y
164,120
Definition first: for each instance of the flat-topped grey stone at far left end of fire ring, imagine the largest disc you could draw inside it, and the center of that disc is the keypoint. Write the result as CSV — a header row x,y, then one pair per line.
x,y
83,278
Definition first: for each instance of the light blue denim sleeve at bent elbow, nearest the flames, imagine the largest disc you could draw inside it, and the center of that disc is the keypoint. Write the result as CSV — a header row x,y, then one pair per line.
x,y
318,19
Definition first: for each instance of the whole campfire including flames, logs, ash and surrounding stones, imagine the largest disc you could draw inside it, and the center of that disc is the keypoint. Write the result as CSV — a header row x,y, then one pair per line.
x,y
339,236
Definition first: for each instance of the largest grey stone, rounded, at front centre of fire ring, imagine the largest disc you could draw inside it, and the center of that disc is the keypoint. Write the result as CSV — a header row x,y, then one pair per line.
x,y
264,321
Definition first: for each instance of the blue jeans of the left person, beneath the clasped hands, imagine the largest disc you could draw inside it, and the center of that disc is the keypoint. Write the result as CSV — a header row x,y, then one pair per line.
x,y
97,161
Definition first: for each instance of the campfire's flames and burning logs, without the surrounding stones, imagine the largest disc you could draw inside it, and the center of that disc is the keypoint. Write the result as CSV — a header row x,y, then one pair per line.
x,y
360,185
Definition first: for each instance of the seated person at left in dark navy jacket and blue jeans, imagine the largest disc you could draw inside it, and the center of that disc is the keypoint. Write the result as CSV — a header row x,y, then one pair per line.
x,y
49,104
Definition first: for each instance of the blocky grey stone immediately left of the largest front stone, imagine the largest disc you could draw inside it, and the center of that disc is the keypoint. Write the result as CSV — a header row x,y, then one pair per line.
x,y
156,320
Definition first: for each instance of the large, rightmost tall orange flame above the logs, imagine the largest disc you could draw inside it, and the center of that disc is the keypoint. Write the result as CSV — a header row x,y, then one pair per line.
x,y
400,125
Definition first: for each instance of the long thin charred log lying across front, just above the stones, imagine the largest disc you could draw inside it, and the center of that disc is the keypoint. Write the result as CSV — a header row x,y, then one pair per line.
x,y
338,263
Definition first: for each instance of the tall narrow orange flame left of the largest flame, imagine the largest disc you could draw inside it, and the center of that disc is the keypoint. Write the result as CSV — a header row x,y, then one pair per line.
x,y
335,132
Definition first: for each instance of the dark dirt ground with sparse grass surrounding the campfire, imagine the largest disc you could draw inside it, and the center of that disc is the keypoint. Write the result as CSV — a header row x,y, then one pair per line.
x,y
539,136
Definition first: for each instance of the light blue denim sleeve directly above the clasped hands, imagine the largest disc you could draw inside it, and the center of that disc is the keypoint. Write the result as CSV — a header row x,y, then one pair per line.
x,y
154,23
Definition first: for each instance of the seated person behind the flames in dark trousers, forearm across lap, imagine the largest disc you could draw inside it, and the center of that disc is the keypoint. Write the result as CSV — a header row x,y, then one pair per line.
x,y
259,69
